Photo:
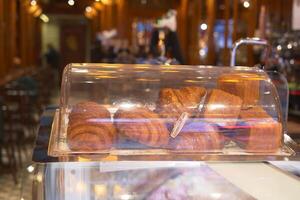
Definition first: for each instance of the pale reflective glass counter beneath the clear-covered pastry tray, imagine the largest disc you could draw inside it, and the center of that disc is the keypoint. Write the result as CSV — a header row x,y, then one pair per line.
x,y
164,180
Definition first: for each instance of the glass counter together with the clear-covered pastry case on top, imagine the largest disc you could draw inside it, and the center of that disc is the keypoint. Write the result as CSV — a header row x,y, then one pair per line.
x,y
165,132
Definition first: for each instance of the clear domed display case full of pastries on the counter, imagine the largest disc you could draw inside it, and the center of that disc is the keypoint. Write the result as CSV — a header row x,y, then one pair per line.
x,y
163,110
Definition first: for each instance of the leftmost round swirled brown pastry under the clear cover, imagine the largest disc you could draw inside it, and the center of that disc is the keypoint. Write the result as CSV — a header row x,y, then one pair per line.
x,y
90,128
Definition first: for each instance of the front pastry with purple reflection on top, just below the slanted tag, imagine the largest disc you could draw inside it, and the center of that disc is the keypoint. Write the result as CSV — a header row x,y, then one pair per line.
x,y
197,136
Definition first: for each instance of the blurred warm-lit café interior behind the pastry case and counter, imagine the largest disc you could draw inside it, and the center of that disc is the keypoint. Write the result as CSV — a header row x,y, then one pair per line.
x,y
39,37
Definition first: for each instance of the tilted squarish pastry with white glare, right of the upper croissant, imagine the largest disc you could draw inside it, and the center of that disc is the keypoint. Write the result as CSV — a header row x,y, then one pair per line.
x,y
222,108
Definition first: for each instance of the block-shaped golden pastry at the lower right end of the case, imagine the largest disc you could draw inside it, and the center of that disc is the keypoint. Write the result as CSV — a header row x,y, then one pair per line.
x,y
261,133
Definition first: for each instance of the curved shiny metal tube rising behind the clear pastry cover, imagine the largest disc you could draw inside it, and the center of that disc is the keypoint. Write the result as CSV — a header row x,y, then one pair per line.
x,y
248,41
